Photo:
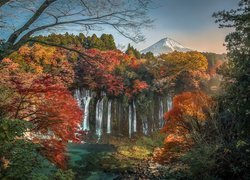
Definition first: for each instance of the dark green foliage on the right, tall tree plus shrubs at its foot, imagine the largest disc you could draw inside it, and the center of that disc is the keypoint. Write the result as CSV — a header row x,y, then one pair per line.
x,y
222,150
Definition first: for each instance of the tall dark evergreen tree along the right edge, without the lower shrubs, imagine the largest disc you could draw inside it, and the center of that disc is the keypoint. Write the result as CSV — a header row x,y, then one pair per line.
x,y
236,73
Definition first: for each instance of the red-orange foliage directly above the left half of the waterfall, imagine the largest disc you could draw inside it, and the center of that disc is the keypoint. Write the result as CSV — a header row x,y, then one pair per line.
x,y
106,70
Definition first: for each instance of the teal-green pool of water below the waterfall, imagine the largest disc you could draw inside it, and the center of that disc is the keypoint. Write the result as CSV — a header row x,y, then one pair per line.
x,y
84,160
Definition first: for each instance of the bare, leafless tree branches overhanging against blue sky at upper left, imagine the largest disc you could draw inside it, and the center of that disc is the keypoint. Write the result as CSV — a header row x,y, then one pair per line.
x,y
125,16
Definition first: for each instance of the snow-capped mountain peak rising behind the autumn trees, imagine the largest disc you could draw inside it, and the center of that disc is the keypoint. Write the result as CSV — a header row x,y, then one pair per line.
x,y
164,46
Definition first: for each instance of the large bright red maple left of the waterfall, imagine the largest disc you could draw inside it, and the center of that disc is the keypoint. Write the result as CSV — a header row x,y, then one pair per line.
x,y
34,98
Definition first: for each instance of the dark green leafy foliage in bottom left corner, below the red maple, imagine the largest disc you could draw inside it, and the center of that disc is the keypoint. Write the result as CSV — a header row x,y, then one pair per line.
x,y
20,158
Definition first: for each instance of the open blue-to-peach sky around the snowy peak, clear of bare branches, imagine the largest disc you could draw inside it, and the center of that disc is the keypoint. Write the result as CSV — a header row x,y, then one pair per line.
x,y
189,22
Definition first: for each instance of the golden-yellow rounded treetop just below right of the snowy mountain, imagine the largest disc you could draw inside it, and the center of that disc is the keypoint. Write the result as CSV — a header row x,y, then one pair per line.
x,y
178,71
